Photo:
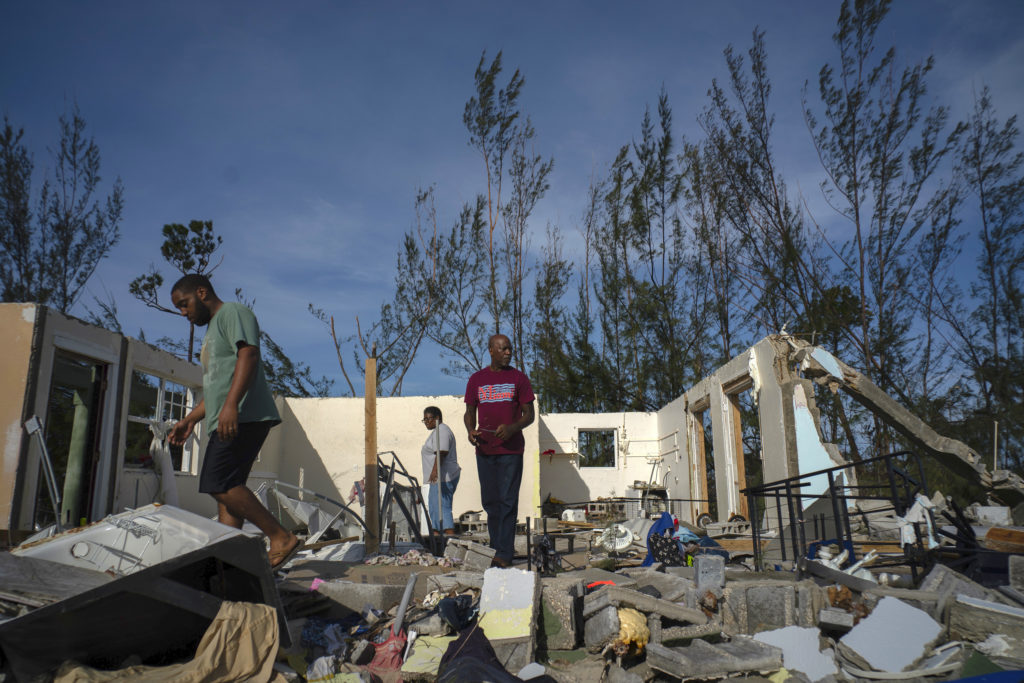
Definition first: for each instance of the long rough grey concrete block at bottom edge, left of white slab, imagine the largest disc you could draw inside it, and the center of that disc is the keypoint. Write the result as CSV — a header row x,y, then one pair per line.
x,y
703,660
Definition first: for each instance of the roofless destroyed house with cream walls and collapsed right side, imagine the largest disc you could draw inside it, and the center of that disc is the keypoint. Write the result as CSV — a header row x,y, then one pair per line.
x,y
103,401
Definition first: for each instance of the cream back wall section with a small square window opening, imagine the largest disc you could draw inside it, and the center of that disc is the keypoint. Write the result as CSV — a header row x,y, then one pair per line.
x,y
562,477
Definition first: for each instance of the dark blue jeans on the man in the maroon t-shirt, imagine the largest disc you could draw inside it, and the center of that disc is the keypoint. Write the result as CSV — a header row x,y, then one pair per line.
x,y
500,480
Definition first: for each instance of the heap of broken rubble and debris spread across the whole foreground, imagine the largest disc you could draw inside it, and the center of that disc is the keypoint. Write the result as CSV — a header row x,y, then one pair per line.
x,y
158,592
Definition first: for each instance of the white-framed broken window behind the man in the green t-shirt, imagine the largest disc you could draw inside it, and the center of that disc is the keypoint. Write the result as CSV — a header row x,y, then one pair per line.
x,y
154,401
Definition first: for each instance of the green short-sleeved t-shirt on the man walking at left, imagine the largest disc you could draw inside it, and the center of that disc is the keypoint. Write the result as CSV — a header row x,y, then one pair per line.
x,y
233,324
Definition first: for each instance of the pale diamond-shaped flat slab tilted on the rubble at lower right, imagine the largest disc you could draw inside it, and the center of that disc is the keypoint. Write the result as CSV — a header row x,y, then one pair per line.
x,y
872,643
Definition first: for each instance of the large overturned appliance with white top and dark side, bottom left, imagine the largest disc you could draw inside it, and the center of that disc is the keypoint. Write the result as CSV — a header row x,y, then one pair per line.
x,y
148,582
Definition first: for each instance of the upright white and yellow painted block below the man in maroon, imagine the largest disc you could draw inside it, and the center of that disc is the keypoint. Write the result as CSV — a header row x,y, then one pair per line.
x,y
509,604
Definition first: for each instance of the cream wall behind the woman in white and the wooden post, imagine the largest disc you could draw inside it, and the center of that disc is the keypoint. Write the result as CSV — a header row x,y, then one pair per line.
x,y
320,446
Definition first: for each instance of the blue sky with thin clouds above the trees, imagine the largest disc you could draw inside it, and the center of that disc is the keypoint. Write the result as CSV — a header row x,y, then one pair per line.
x,y
304,131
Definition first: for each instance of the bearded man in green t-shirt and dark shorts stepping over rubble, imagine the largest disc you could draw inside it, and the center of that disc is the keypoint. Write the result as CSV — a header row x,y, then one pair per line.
x,y
238,407
